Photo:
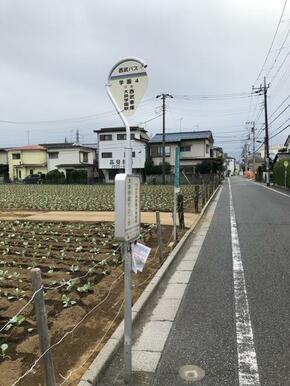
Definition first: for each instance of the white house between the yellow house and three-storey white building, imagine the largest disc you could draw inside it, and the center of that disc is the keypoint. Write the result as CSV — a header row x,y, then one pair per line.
x,y
67,157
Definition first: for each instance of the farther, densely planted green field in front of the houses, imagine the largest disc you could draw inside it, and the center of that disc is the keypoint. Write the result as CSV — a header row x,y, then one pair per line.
x,y
85,197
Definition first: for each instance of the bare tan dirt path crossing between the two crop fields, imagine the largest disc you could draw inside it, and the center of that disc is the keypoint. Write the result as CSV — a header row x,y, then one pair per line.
x,y
90,217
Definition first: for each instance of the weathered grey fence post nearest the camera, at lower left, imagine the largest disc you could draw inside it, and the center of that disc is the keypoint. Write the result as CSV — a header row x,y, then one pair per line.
x,y
42,328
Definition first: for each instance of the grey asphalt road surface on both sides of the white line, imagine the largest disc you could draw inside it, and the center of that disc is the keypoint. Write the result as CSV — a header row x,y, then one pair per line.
x,y
206,329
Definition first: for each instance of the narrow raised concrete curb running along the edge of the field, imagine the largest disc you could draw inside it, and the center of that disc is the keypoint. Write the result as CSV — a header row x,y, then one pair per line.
x,y
101,361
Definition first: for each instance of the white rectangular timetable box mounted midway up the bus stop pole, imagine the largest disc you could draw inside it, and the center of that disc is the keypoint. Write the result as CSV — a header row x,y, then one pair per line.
x,y
127,207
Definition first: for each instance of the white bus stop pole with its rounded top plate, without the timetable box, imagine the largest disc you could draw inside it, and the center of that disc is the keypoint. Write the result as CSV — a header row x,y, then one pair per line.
x,y
126,86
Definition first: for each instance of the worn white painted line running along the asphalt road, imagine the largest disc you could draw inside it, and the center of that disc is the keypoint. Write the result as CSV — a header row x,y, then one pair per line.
x,y
247,361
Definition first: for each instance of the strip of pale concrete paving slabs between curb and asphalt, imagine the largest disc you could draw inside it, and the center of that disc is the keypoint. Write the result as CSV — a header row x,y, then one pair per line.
x,y
151,336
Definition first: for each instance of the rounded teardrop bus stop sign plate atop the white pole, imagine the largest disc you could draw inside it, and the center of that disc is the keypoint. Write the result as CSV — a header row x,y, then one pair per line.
x,y
128,82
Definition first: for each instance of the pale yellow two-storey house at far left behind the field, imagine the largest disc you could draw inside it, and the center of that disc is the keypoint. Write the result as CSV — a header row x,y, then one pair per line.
x,y
26,160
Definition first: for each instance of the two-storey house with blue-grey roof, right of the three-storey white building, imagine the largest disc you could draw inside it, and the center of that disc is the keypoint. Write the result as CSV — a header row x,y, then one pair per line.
x,y
195,147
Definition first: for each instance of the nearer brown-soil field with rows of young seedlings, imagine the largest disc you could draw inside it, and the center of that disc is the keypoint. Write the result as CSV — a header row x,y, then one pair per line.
x,y
83,281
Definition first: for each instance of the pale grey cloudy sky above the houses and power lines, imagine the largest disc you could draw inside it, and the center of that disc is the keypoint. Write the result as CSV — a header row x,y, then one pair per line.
x,y
56,55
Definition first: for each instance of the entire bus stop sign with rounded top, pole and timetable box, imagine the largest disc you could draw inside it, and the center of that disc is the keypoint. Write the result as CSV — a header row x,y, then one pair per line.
x,y
126,85
